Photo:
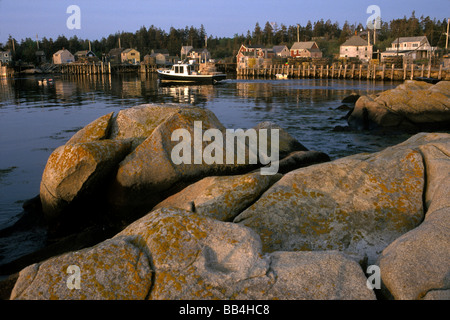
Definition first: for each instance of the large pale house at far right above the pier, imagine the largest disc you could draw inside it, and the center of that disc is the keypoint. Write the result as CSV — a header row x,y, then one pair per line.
x,y
410,48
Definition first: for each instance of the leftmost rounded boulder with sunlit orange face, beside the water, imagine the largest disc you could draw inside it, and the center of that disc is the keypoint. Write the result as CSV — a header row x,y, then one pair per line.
x,y
74,171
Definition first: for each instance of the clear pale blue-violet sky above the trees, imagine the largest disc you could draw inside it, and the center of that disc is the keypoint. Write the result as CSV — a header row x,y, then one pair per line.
x,y
99,18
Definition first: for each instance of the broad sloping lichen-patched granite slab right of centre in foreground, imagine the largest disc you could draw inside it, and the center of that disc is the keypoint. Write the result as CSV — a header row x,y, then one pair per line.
x,y
357,204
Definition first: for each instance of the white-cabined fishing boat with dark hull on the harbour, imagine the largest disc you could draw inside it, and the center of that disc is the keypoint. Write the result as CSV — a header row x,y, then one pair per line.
x,y
189,73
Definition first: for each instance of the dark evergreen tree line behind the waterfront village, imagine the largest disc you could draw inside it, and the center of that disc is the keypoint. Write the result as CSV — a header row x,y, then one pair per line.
x,y
327,34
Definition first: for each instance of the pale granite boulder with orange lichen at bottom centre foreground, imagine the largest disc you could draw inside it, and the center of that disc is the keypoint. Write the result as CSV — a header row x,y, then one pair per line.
x,y
196,257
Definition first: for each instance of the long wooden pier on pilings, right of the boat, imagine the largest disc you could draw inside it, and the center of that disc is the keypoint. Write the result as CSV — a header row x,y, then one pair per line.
x,y
335,71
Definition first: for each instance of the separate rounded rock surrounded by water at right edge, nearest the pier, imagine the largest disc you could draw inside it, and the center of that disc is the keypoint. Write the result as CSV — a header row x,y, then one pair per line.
x,y
413,103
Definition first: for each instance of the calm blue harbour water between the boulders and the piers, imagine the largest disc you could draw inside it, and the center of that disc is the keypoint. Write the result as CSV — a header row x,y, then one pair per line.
x,y
35,119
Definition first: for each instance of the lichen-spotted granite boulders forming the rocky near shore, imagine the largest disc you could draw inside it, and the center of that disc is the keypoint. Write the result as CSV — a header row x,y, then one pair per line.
x,y
140,227
